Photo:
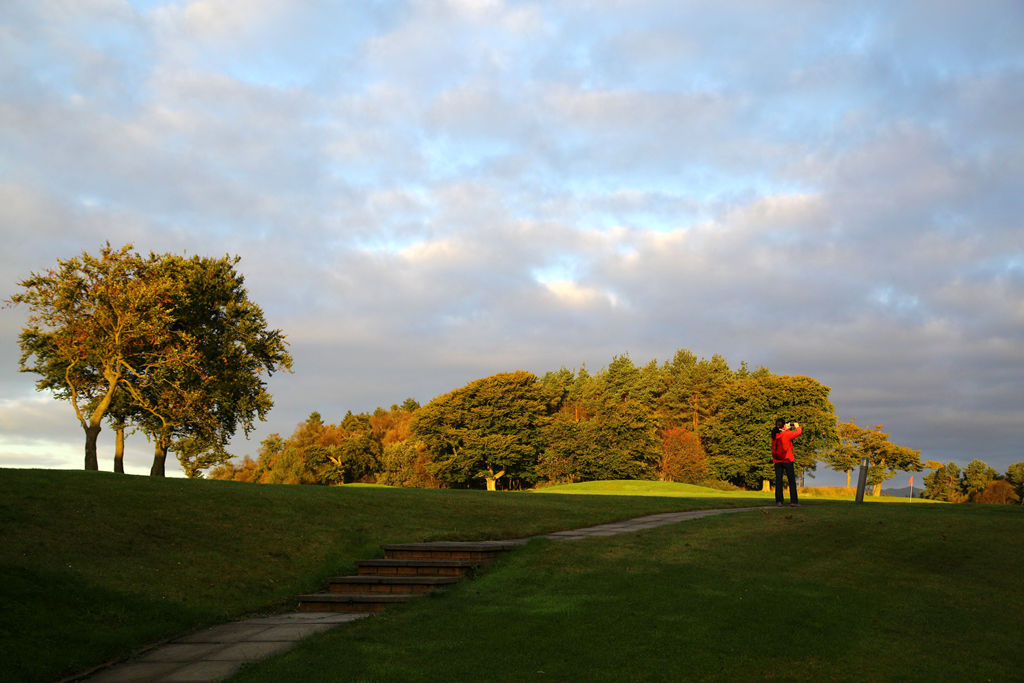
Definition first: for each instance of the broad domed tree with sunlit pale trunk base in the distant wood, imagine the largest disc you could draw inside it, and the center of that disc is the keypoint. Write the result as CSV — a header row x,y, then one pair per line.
x,y
487,431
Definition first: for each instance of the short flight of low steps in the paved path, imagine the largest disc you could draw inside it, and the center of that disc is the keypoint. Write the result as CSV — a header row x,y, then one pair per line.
x,y
408,571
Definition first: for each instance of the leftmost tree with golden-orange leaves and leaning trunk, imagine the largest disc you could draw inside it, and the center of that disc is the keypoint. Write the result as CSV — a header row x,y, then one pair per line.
x,y
93,319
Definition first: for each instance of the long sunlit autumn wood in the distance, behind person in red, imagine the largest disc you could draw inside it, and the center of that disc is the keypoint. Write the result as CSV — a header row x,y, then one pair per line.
x,y
690,420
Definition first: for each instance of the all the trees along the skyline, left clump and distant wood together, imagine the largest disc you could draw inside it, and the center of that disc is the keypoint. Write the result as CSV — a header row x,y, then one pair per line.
x,y
174,347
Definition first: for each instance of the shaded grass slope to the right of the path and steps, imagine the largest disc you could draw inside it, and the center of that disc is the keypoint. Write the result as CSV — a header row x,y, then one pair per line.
x,y
826,592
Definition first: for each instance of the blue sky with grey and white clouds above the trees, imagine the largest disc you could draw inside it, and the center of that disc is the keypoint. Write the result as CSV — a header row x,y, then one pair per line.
x,y
429,192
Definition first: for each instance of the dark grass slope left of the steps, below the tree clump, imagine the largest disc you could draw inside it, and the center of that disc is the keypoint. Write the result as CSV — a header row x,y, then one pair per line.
x,y
95,566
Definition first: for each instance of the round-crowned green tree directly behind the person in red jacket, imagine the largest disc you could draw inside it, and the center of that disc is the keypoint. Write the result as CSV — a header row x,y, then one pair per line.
x,y
739,437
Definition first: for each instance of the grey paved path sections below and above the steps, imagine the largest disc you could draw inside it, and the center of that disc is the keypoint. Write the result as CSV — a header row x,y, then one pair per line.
x,y
217,654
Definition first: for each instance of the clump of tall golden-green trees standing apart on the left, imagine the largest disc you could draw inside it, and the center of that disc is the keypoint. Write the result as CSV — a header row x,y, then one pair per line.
x,y
167,345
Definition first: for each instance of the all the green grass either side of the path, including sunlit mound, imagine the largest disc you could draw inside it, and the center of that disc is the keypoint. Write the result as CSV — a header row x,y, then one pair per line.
x,y
97,566
